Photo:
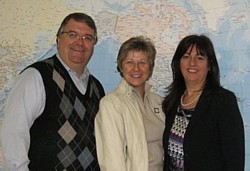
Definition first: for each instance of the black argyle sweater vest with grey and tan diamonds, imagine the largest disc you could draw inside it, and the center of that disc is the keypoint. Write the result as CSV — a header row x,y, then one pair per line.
x,y
62,137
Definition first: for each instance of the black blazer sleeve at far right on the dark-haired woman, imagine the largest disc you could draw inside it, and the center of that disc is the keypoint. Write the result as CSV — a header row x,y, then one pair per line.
x,y
231,129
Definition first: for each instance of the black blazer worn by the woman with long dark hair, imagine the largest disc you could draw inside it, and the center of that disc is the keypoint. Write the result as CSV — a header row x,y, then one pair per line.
x,y
214,139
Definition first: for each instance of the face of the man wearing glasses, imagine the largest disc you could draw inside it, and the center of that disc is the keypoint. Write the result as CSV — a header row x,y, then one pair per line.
x,y
76,45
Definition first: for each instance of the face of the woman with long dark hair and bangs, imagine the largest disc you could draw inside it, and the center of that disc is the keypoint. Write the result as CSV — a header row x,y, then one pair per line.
x,y
194,67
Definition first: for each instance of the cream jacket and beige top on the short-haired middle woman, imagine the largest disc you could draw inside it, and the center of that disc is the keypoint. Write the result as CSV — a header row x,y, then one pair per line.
x,y
121,138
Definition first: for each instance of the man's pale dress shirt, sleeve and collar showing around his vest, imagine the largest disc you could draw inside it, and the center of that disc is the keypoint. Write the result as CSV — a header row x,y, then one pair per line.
x,y
25,103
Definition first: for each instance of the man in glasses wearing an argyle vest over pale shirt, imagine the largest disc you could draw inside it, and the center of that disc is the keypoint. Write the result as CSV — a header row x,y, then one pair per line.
x,y
49,119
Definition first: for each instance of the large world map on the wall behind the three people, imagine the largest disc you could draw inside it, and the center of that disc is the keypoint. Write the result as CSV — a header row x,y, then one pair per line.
x,y
28,30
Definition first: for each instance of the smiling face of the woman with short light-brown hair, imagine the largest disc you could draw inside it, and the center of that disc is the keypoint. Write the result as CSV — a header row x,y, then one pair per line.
x,y
136,69
